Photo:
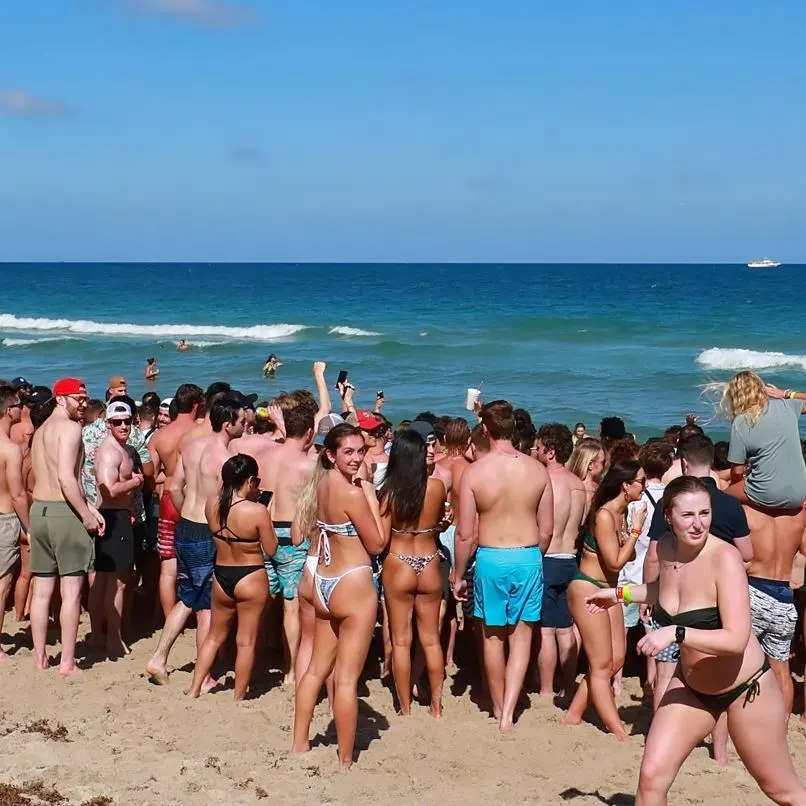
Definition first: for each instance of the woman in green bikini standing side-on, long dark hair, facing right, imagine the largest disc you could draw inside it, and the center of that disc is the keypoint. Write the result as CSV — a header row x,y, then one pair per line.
x,y
607,546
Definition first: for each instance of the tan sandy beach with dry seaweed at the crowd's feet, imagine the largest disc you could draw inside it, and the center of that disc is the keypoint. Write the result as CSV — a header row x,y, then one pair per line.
x,y
135,743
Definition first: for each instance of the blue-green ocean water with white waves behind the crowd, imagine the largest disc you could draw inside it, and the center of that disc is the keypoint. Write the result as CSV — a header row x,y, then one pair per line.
x,y
568,342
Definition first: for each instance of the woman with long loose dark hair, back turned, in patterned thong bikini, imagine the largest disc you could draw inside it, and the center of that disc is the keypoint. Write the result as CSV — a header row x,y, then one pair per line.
x,y
412,509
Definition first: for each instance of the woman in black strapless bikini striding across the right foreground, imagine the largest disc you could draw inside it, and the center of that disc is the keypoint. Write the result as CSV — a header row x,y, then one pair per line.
x,y
702,602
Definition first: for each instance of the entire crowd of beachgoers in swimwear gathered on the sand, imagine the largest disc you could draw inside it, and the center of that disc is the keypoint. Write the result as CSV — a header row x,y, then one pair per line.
x,y
544,548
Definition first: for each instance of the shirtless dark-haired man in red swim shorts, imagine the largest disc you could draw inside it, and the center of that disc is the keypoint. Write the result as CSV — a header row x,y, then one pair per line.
x,y
164,450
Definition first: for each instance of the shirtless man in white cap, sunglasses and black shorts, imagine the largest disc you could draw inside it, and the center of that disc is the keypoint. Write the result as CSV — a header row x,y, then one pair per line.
x,y
114,552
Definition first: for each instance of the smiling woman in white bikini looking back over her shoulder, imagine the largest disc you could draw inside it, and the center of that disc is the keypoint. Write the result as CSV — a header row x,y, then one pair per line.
x,y
344,597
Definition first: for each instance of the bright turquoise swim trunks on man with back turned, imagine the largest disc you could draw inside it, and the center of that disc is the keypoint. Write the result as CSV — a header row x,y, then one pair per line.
x,y
509,585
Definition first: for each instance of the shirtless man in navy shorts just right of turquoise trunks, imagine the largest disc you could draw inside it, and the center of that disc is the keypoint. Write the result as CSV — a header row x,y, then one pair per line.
x,y
554,447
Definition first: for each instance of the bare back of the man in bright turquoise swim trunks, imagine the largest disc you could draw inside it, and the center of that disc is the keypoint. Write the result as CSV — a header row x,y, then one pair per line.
x,y
507,489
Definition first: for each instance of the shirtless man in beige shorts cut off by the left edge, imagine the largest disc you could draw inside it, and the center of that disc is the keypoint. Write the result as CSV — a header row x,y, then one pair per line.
x,y
13,500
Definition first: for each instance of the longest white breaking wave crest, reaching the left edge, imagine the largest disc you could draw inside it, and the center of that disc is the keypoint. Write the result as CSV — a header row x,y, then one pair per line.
x,y
8,321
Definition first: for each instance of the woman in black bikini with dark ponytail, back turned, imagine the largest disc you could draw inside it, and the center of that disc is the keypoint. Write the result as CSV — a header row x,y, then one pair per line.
x,y
243,532
